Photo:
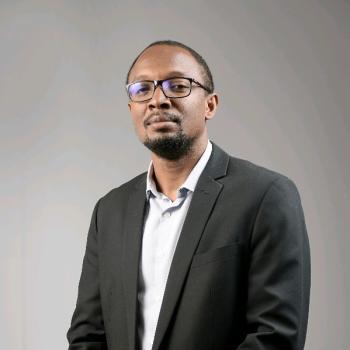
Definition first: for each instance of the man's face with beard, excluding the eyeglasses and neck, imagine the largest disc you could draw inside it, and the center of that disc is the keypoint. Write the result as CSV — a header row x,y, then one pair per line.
x,y
170,127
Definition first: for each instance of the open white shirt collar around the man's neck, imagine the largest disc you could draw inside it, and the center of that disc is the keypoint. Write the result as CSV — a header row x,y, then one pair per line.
x,y
192,179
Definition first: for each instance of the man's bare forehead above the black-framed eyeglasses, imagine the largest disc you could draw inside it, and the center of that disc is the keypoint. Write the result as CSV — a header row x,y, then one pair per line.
x,y
163,61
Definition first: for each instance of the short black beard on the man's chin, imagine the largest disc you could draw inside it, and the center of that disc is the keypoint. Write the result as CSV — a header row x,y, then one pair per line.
x,y
172,147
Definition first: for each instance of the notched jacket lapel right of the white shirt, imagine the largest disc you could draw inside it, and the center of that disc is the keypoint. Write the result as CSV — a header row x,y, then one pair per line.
x,y
203,201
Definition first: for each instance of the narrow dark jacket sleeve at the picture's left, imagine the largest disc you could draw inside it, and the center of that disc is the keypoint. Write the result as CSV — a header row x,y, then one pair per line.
x,y
87,327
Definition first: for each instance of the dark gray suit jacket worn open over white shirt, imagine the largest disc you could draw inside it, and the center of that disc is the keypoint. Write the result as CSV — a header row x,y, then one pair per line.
x,y
240,276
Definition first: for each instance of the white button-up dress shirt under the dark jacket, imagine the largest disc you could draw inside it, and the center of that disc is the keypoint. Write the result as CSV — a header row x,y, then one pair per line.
x,y
163,224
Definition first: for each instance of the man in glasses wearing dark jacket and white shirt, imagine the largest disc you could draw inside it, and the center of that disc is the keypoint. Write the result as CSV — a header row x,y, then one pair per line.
x,y
204,251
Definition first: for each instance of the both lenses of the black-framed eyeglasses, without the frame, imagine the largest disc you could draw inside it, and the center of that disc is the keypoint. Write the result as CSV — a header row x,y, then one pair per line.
x,y
175,87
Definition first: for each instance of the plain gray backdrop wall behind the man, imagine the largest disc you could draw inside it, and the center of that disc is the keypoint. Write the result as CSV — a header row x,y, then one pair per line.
x,y
282,70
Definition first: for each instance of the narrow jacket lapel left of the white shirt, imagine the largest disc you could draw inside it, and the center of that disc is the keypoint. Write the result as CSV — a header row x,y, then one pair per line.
x,y
131,254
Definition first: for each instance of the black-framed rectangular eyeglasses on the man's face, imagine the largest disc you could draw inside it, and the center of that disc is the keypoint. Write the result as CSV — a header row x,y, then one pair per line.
x,y
177,87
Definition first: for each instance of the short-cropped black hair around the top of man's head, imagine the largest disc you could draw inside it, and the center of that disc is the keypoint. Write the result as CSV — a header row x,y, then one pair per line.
x,y
207,76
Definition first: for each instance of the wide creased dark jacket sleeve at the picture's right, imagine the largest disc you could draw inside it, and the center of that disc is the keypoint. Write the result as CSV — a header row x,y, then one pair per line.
x,y
279,272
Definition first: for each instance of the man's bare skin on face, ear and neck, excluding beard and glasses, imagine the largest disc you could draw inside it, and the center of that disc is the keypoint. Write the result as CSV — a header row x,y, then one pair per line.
x,y
151,118
